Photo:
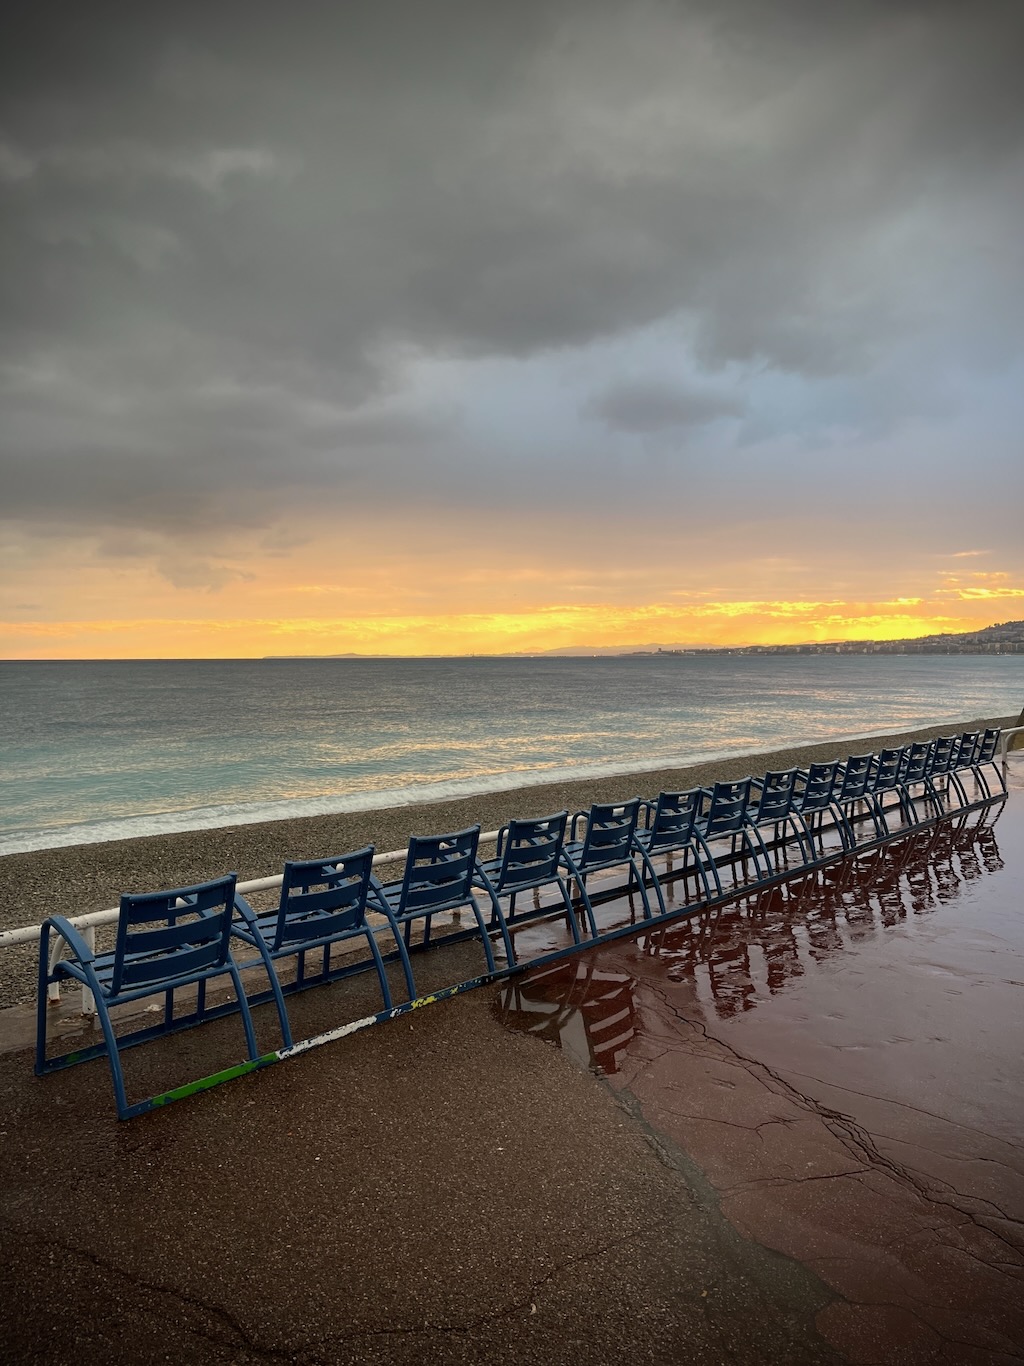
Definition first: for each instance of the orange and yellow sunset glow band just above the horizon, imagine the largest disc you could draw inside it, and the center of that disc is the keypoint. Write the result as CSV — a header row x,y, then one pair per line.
x,y
492,596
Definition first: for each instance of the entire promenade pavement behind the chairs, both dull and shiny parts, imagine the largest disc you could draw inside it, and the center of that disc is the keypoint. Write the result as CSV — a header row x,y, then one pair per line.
x,y
787,1130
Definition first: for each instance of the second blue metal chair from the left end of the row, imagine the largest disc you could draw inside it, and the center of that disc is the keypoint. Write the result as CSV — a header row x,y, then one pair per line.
x,y
324,904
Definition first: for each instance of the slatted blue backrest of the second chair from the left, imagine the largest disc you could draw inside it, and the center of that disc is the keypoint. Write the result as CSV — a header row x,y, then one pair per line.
x,y
322,898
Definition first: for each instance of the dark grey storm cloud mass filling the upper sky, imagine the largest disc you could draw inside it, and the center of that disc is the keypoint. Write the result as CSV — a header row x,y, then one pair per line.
x,y
230,229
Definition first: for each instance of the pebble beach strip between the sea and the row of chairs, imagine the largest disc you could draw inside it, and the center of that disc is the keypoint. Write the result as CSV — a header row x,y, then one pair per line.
x,y
79,879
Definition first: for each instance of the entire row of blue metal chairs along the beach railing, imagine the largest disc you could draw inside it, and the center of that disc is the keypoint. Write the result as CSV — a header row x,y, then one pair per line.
x,y
763,828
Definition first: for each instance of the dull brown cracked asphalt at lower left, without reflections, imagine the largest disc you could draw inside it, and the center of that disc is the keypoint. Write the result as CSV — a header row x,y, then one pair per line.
x,y
435,1190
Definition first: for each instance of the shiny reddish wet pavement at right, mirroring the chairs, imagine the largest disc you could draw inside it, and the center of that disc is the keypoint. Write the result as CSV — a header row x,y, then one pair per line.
x,y
839,1058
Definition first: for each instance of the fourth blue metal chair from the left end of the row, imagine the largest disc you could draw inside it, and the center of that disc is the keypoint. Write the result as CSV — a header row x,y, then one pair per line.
x,y
528,860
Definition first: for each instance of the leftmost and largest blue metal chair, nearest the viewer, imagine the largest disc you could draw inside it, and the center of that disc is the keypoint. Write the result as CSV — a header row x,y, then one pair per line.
x,y
166,942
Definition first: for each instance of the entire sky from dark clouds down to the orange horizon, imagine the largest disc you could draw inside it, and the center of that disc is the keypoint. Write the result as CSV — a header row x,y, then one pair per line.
x,y
477,327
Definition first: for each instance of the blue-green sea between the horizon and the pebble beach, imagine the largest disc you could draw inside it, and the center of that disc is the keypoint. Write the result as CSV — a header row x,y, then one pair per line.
x,y
98,751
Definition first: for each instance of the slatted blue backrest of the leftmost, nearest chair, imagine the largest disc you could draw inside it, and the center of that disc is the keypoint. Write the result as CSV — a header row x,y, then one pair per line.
x,y
171,938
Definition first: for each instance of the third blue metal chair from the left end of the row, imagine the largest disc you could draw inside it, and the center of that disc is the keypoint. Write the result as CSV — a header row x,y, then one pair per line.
x,y
440,874
